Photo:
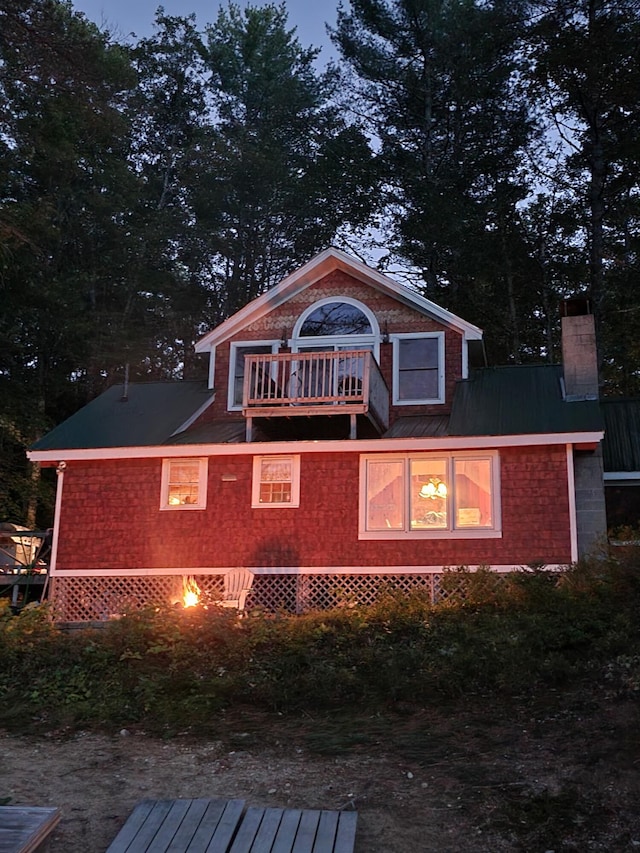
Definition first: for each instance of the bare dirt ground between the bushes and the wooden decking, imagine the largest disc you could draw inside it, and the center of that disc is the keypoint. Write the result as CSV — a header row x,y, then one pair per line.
x,y
525,779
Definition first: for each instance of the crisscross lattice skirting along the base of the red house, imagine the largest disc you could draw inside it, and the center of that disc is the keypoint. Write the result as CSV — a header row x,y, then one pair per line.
x,y
93,599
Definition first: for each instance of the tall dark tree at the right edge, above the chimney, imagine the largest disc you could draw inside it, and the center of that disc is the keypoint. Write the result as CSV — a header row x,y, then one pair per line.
x,y
586,76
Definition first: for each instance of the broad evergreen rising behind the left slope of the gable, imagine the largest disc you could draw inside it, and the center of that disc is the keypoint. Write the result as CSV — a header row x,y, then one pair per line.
x,y
284,170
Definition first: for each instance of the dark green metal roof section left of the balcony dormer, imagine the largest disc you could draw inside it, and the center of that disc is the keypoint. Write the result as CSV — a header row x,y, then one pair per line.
x,y
151,413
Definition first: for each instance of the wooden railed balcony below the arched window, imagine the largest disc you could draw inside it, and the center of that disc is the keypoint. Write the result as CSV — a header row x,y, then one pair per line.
x,y
315,384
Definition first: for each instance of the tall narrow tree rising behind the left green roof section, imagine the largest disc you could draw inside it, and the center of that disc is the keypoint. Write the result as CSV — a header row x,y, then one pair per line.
x,y
170,121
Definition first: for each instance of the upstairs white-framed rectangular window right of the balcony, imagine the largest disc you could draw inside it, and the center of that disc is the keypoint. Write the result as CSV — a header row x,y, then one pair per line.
x,y
418,368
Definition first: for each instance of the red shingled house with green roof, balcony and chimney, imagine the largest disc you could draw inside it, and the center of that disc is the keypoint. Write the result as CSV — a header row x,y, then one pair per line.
x,y
343,440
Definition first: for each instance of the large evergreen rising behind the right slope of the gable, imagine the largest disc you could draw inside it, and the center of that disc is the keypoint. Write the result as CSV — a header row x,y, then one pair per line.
x,y
436,80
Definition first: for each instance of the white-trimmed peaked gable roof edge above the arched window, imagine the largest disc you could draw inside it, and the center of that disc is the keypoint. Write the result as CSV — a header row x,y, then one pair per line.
x,y
320,265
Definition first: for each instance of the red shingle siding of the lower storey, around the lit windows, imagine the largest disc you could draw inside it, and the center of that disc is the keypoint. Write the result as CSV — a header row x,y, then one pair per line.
x,y
111,519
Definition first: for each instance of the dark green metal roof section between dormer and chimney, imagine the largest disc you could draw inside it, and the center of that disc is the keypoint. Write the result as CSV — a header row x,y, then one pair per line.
x,y
517,400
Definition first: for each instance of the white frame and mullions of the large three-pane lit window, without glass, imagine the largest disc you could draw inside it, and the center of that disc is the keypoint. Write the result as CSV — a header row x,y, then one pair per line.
x,y
450,531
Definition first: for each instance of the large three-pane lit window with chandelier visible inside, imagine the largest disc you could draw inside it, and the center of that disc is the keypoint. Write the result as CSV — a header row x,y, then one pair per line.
x,y
430,495
